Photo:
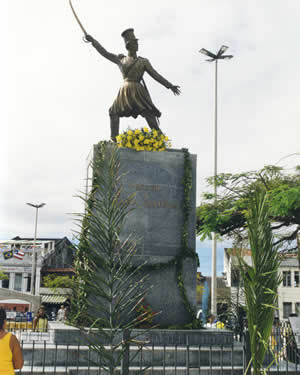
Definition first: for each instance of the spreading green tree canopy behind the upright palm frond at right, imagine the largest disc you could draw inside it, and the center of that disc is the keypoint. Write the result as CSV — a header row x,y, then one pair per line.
x,y
226,213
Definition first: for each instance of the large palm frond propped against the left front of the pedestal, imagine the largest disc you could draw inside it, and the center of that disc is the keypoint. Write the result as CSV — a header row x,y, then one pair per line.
x,y
106,282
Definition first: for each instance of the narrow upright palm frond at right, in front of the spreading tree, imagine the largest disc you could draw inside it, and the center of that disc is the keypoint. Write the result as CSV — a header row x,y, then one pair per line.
x,y
261,278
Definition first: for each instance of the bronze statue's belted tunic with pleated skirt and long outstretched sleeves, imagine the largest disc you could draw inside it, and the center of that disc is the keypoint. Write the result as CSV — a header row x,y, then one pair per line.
x,y
133,98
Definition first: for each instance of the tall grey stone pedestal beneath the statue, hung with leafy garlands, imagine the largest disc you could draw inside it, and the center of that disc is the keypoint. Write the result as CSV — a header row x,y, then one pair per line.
x,y
156,178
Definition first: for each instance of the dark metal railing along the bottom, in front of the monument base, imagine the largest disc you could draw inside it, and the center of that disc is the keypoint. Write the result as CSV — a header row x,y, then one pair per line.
x,y
43,356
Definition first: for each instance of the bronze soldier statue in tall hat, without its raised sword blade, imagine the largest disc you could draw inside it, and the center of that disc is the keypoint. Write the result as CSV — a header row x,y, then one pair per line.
x,y
133,98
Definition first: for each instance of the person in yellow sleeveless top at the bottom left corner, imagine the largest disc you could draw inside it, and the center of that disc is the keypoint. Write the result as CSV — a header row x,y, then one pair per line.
x,y
11,356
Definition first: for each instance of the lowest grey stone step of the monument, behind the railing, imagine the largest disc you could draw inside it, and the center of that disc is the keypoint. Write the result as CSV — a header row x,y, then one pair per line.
x,y
66,355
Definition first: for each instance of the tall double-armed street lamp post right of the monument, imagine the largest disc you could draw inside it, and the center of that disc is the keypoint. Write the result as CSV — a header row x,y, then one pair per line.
x,y
215,57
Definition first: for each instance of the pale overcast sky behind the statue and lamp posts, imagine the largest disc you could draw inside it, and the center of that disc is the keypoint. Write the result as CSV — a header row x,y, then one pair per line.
x,y
56,90
